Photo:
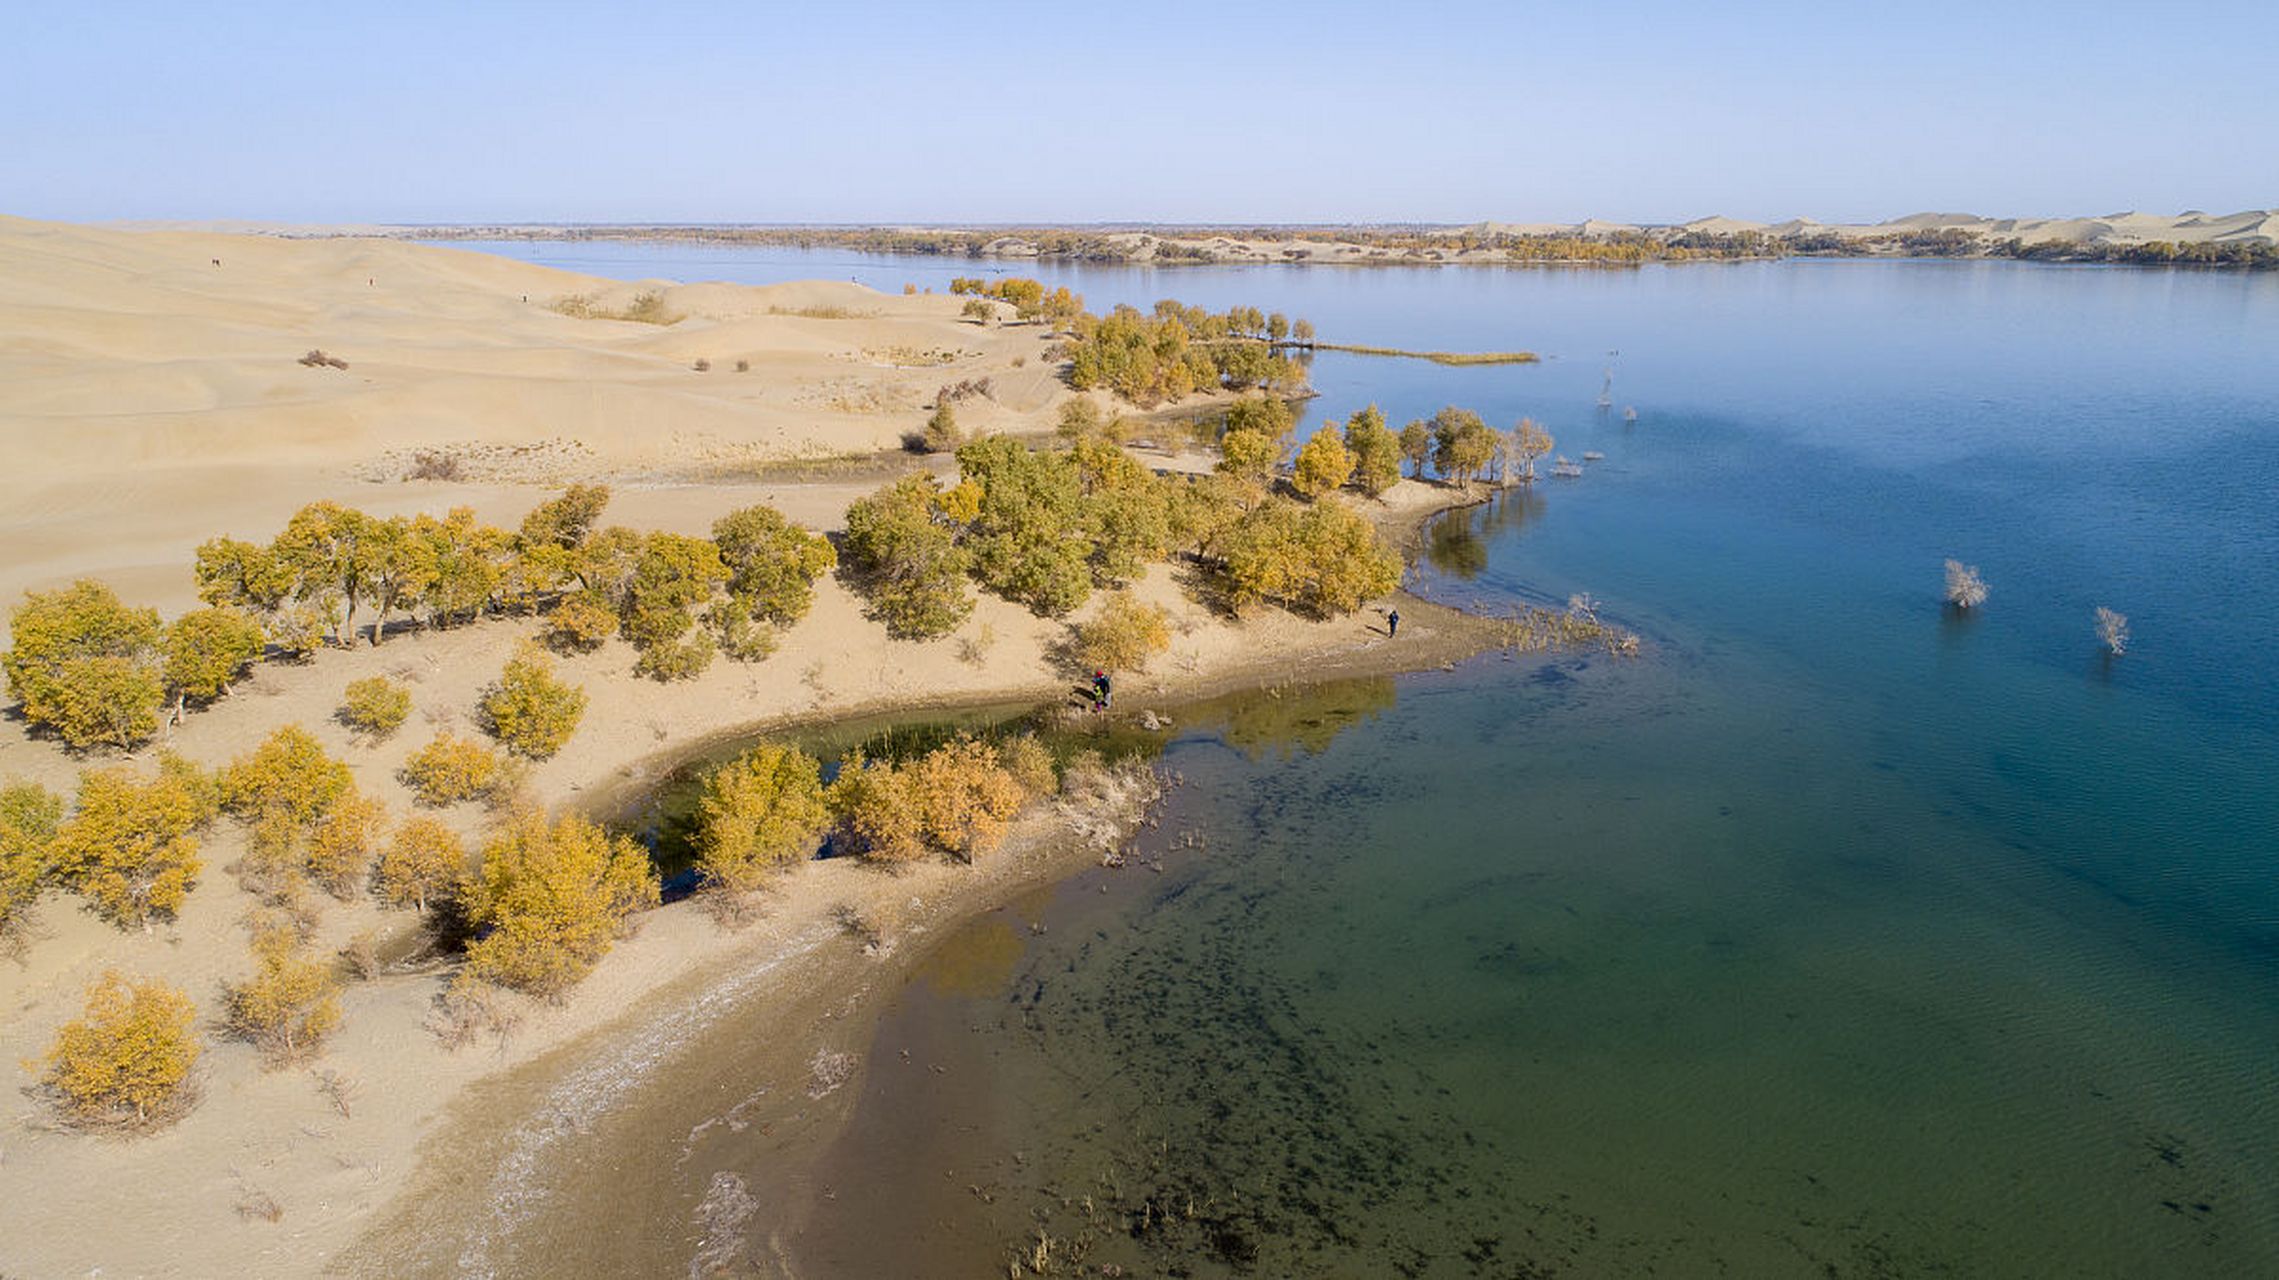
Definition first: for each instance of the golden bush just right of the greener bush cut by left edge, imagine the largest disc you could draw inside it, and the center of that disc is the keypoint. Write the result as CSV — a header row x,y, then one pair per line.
x,y
131,846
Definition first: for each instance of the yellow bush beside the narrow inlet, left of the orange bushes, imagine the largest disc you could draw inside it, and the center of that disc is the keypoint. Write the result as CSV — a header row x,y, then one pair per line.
x,y
760,812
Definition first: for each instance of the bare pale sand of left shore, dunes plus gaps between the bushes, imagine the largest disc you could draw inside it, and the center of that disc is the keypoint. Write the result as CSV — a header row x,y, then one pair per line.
x,y
152,397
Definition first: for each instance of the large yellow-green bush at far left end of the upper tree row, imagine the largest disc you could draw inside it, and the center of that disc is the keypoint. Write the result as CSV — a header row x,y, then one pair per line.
x,y
88,666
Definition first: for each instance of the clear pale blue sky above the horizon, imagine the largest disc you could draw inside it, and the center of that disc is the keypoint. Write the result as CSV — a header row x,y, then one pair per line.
x,y
1236,113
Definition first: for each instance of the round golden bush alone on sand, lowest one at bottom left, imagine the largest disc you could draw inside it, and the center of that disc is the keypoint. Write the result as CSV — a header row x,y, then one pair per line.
x,y
126,1060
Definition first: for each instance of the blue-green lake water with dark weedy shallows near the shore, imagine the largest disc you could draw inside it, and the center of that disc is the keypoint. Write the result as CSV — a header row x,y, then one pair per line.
x,y
1833,937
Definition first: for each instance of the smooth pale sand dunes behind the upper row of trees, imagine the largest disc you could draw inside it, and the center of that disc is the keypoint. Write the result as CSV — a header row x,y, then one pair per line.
x,y
154,397
